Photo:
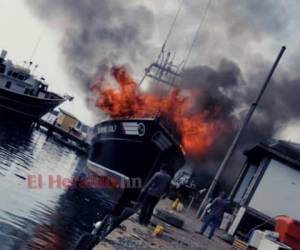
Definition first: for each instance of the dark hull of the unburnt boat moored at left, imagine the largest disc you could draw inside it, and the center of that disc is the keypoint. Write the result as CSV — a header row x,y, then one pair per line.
x,y
24,108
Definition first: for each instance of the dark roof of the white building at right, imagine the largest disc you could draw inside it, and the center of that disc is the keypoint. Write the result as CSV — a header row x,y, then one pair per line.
x,y
283,150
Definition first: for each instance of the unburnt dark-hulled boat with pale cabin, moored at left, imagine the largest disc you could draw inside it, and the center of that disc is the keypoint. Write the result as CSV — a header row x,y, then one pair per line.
x,y
22,95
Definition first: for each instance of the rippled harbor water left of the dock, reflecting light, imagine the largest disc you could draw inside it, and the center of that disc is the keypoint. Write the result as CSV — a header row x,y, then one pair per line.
x,y
40,208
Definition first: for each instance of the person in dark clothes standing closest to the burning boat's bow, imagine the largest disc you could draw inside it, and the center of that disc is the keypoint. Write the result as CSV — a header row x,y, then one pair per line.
x,y
155,188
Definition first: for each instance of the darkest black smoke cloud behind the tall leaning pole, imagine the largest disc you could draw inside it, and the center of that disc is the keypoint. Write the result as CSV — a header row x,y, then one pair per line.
x,y
226,87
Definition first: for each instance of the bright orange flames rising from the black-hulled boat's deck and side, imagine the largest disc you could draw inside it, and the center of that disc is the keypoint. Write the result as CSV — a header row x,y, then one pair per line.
x,y
197,130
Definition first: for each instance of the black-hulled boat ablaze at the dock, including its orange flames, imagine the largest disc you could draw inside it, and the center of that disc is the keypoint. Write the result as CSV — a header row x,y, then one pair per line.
x,y
134,142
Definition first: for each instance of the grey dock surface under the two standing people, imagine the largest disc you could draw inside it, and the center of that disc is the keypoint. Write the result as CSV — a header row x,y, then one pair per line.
x,y
130,235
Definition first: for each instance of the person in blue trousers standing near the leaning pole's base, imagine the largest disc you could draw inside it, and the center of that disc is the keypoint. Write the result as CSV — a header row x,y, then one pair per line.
x,y
214,217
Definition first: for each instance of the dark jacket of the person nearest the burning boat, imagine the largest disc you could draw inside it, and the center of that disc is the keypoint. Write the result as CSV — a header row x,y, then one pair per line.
x,y
158,185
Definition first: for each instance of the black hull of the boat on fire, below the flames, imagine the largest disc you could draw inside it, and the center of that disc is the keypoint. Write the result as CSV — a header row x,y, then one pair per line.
x,y
129,150
